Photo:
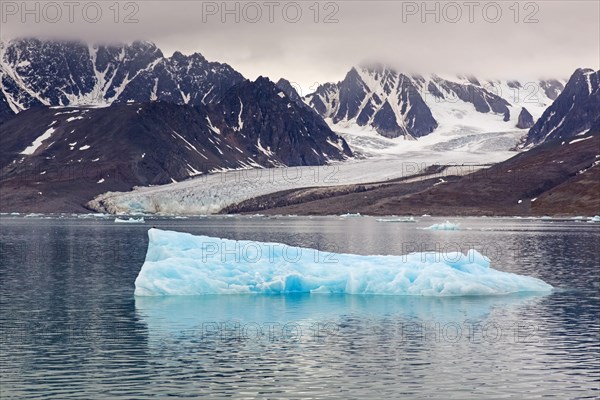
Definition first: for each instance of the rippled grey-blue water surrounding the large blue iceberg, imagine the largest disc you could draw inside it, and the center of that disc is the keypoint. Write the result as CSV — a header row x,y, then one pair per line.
x,y
71,327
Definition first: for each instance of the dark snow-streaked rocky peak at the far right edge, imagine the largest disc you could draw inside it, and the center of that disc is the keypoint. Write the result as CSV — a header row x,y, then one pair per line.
x,y
573,112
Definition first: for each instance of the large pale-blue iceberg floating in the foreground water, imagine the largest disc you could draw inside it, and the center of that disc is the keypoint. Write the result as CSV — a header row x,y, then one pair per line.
x,y
183,264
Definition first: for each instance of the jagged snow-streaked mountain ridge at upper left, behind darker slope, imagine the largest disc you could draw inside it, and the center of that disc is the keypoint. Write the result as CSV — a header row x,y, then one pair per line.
x,y
35,72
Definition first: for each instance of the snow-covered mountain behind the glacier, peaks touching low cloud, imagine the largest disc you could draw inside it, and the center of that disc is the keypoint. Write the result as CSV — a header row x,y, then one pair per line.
x,y
395,104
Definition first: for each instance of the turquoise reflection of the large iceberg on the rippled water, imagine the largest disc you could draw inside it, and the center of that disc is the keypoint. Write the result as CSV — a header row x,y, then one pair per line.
x,y
251,319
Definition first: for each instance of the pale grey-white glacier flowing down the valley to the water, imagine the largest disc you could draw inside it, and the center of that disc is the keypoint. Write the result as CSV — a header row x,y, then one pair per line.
x,y
386,159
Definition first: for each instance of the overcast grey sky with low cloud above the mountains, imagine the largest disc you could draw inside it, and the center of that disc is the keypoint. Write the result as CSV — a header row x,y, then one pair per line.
x,y
310,42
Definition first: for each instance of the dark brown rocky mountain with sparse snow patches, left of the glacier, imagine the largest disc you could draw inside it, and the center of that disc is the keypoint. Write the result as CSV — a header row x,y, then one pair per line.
x,y
59,158
